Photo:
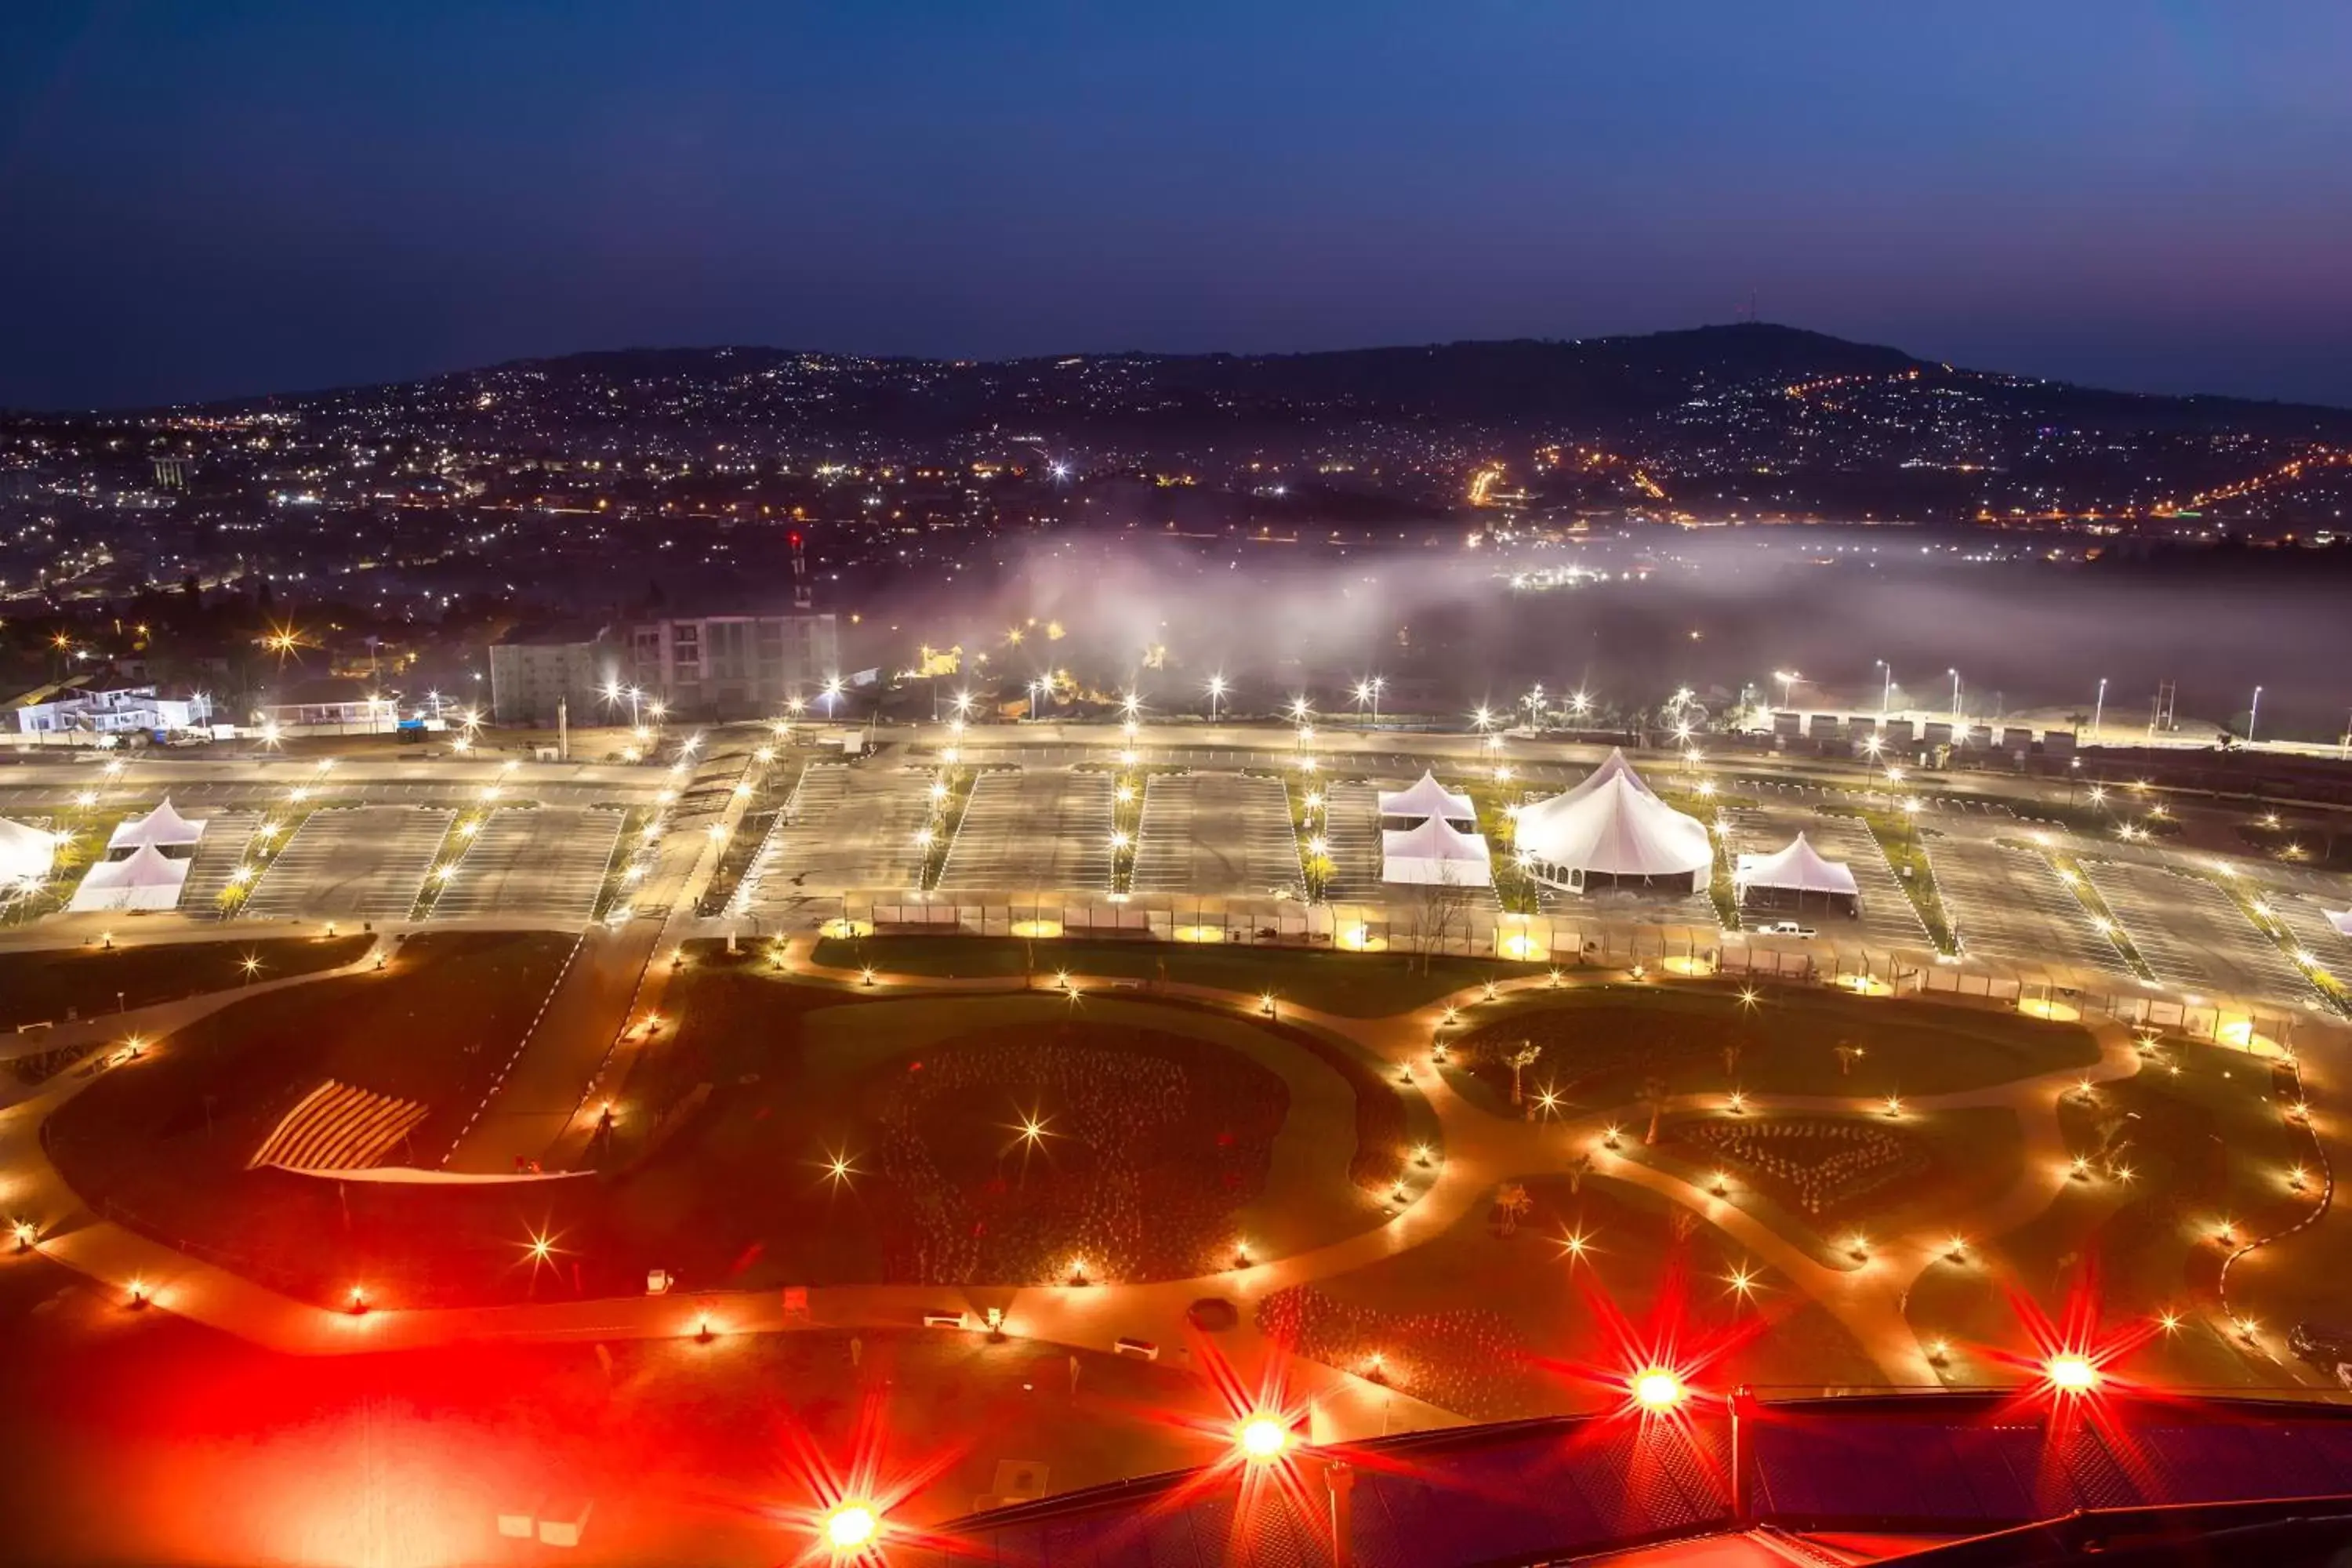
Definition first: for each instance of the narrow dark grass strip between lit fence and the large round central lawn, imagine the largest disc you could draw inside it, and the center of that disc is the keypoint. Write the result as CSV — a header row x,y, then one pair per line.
x,y
1347,984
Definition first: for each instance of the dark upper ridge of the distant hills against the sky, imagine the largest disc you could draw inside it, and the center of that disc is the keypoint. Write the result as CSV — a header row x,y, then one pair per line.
x,y
1488,384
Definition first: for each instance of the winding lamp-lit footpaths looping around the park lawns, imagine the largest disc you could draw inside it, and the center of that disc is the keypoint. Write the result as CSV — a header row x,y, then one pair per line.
x,y
1481,1151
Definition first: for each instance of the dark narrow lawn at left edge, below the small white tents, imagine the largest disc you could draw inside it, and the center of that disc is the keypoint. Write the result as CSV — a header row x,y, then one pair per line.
x,y
44,986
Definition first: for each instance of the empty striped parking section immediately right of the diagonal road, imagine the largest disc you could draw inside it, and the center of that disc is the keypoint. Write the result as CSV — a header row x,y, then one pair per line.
x,y
846,831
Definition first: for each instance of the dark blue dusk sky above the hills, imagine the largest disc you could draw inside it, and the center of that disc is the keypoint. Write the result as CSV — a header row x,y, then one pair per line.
x,y
227,199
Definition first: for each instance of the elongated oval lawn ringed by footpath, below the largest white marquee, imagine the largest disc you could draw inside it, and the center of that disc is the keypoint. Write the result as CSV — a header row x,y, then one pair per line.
x,y
1601,1043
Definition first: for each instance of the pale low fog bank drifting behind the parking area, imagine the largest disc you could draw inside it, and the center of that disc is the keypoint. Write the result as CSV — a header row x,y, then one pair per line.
x,y
1671,610
